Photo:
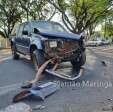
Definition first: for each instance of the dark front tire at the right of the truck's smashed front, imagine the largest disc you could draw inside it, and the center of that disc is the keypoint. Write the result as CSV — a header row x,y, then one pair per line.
x,y
77,64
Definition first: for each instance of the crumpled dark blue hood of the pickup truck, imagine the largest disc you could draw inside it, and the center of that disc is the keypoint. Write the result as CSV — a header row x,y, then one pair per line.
x,y
61,35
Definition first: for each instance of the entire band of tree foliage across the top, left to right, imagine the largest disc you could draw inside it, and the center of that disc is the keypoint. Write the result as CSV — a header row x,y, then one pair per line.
x,y
77,15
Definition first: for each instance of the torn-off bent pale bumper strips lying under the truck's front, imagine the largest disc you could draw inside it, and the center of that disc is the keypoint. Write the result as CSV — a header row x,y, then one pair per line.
x,y
54,72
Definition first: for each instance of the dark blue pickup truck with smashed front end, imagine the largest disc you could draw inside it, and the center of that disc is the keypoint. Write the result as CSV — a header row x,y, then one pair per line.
x,y
42,40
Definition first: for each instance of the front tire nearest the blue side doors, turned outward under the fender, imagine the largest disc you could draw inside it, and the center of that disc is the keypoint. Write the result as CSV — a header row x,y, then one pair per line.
x,y
37,58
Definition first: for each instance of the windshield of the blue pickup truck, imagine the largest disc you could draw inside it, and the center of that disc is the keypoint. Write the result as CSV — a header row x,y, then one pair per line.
x,y
48,26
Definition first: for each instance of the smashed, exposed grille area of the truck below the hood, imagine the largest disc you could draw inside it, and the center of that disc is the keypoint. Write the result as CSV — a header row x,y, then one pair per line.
x,y
64,50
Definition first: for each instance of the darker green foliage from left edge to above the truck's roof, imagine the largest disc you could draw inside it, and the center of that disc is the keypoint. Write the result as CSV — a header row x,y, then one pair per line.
x,y
14,11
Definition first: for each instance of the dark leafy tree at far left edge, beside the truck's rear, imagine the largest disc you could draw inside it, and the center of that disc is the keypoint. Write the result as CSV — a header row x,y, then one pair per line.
x,y
9,15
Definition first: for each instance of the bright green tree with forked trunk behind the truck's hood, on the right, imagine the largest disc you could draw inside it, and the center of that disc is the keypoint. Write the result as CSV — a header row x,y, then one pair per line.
x,y
78,15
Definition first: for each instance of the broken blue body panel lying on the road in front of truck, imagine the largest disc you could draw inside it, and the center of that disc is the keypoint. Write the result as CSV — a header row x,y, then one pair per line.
x,y
39,92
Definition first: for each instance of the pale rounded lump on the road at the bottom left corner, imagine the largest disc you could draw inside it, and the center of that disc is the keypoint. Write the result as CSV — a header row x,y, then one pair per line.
x,y
18,107
